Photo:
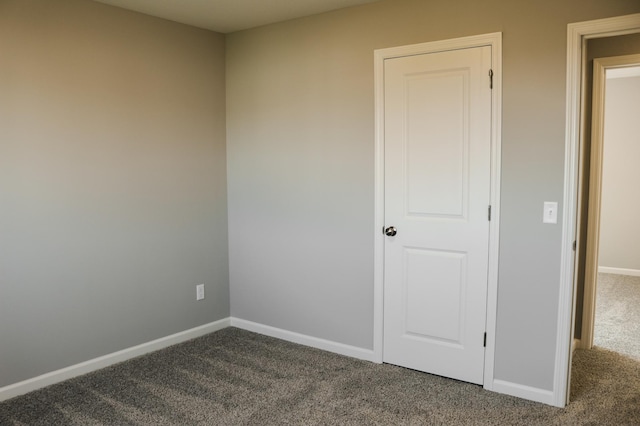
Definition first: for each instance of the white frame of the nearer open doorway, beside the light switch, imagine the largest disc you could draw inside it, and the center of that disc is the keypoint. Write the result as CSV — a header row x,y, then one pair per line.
x,y
577,35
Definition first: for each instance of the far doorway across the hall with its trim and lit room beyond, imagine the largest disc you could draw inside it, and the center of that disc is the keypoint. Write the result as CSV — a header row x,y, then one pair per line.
x,y
611,308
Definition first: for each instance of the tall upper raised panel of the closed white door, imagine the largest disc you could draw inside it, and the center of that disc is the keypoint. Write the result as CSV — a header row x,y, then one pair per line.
x,y
436,172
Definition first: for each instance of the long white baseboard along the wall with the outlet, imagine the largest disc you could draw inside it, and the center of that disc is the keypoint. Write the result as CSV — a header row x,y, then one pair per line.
x,y
72,371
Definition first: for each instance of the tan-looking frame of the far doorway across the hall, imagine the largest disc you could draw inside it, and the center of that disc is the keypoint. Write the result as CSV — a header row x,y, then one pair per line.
x,y
595,190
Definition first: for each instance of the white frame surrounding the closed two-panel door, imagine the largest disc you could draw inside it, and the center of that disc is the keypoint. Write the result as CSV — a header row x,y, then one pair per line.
x,y
495,41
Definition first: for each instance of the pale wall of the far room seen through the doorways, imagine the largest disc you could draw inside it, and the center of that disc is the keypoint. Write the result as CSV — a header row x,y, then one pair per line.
x,y
620,209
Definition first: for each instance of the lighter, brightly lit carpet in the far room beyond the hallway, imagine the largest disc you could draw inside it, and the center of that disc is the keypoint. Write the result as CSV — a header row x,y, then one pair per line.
x,y
617,324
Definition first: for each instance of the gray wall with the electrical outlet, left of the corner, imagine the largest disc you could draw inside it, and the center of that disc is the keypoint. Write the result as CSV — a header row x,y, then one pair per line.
x,y
112,182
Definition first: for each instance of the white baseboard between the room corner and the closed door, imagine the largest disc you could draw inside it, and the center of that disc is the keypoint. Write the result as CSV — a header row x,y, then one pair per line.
x,y
303,339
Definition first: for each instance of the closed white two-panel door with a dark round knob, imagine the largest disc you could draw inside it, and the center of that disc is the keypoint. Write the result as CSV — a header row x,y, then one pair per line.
x,y
437,134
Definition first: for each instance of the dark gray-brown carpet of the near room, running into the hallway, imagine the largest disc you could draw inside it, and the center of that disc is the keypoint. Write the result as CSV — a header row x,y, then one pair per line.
x,y
234,377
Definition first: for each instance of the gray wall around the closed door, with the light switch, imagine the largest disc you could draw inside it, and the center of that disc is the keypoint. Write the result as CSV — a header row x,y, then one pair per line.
x,y
300,143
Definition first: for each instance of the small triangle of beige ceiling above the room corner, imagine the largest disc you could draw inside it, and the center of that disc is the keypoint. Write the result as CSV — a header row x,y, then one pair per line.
x,y
227,16
